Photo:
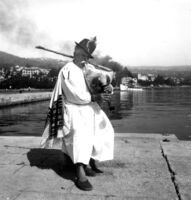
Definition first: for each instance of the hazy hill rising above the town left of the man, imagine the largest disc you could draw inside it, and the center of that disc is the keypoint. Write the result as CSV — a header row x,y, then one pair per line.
x,y
7,59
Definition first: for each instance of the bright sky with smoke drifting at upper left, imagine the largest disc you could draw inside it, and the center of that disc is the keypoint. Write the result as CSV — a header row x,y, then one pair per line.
x,y
132,32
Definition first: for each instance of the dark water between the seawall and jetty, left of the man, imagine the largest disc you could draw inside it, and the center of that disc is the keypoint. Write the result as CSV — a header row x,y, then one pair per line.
x,y
27,119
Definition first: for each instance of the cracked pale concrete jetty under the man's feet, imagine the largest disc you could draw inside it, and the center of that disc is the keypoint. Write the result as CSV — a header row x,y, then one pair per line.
x,y
145,167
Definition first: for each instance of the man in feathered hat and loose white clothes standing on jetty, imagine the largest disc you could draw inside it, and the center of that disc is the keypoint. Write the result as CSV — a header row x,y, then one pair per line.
x,y
86,132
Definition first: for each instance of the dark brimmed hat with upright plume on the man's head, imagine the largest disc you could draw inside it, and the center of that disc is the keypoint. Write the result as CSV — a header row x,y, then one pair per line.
x,y
88,45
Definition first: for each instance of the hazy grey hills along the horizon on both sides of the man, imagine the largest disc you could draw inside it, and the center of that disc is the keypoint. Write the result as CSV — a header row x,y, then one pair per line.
x,y
7,59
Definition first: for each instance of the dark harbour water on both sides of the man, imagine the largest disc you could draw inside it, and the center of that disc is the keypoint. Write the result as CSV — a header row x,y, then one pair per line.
x,y
160,111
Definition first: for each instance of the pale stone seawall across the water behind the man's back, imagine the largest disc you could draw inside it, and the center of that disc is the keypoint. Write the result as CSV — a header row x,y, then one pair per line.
x,y
20,98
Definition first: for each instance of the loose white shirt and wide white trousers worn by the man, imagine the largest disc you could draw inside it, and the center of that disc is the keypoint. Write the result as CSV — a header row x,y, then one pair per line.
x,y
87,132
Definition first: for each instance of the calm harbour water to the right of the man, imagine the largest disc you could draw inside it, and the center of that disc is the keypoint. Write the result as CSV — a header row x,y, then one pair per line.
x,y
165,111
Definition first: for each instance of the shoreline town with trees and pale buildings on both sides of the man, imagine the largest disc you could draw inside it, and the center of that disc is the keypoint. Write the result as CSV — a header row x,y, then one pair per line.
x,y
18,76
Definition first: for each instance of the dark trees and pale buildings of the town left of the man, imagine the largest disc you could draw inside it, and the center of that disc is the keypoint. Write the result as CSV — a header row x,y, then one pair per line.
x,y
16,77
